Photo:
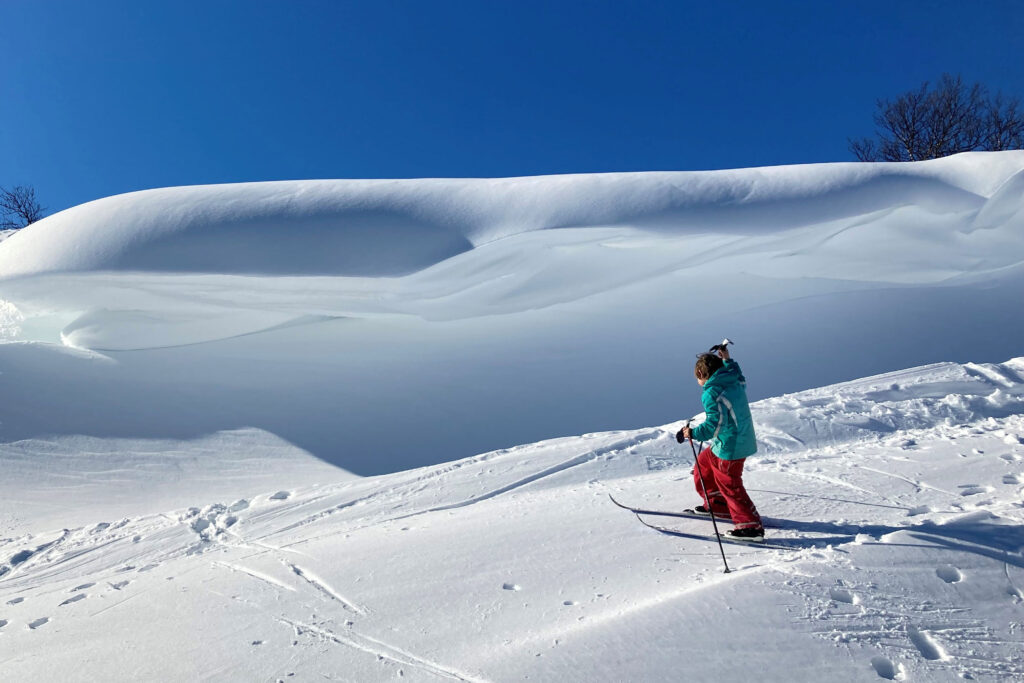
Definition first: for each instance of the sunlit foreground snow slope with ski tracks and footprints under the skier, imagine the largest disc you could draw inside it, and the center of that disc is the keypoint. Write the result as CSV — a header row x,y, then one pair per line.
x,y
898,498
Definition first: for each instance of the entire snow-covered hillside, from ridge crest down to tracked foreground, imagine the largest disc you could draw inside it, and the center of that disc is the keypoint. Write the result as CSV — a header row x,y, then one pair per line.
x,y
240,429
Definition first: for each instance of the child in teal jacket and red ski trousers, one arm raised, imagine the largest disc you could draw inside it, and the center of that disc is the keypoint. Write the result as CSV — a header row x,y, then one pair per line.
x,y
730,430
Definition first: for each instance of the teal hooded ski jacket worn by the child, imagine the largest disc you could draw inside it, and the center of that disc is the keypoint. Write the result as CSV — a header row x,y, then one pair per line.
x,y
729,425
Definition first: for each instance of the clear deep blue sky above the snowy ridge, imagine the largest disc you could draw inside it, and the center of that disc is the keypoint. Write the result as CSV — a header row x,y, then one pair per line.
x,y
104,98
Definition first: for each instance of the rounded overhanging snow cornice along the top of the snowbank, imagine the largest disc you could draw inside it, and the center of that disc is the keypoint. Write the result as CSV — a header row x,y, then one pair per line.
x,y
393,228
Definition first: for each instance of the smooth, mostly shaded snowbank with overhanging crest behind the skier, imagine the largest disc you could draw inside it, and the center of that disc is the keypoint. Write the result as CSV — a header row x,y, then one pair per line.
x,y
386,325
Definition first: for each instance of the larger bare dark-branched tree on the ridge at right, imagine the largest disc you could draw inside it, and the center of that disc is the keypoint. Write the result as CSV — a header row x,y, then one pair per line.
x,y
952,118
